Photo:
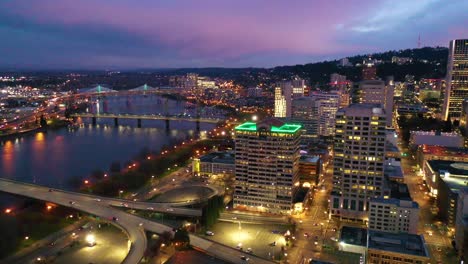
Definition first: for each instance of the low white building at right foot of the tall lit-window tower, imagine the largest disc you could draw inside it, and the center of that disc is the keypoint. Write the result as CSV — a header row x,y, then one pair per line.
x,y
393,215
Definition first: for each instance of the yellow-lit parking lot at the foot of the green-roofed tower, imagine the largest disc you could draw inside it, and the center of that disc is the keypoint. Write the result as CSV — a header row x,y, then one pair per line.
x,y
254,236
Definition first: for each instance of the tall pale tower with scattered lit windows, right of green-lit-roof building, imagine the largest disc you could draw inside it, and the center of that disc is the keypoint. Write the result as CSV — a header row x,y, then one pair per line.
x,y
359,155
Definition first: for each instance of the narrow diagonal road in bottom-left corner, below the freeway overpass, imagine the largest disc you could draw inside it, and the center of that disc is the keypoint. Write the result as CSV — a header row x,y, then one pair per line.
x,y
23,253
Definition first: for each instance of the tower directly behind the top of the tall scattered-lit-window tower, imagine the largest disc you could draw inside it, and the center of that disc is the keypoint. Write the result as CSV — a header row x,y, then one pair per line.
x,y
376,92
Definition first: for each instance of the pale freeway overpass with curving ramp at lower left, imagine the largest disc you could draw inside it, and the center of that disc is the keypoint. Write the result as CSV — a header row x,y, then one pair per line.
x,y
133,225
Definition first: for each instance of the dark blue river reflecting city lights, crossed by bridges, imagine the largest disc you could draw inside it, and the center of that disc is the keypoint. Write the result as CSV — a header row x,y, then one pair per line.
x,y
51,158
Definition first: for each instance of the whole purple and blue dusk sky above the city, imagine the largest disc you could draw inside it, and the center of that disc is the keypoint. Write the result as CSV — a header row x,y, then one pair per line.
x,y
117,34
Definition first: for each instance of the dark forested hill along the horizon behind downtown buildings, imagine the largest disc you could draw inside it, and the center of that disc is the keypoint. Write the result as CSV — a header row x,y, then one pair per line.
x,y
427,63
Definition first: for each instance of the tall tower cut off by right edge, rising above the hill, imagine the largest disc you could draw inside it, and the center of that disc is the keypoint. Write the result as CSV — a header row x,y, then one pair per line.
x,y
456,89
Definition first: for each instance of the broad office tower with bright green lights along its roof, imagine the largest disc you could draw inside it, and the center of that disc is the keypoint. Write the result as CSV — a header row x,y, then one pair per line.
x,y
267,165
